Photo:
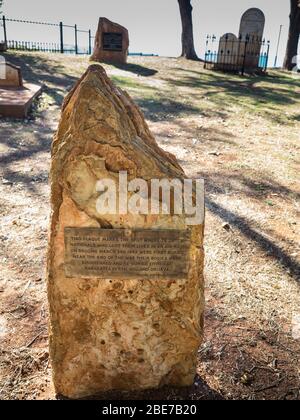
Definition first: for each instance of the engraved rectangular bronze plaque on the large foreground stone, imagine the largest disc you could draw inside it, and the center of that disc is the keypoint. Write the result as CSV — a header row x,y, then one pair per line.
x,y
120,253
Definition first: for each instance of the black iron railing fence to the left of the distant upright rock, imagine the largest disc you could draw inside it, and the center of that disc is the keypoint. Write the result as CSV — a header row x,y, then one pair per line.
x,y
60,46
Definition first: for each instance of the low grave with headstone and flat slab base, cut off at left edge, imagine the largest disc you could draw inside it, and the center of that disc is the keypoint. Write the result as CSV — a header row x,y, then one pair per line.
x,y
16,97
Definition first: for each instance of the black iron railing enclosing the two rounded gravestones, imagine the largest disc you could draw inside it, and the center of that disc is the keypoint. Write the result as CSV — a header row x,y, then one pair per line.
x,y
247,54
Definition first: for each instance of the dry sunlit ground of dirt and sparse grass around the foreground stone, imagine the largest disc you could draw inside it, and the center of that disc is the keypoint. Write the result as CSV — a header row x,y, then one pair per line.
x,y
239,133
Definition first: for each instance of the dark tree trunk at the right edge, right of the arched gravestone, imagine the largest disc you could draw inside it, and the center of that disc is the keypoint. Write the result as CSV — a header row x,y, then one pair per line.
x,y
293,39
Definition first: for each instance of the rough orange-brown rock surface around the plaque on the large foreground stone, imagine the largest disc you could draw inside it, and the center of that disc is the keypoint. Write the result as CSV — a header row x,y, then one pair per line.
x,y
115,334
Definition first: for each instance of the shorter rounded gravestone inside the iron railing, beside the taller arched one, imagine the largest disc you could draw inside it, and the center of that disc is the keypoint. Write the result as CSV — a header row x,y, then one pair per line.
x,y
228,54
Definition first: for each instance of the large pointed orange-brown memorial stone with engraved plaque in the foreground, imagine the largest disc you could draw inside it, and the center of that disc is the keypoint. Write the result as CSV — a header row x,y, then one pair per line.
x,y
125,289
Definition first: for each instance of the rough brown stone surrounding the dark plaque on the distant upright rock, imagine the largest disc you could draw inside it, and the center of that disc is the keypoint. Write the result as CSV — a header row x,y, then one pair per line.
x,y
105,56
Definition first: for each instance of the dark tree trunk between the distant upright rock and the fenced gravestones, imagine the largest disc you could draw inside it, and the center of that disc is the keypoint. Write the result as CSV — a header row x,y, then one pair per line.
x,y
188,49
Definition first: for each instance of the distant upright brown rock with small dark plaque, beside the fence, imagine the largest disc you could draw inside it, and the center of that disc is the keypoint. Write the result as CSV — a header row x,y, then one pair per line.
x,y
111,43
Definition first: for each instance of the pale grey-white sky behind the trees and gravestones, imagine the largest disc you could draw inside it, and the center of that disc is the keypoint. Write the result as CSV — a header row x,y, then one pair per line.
x,y
154,25
